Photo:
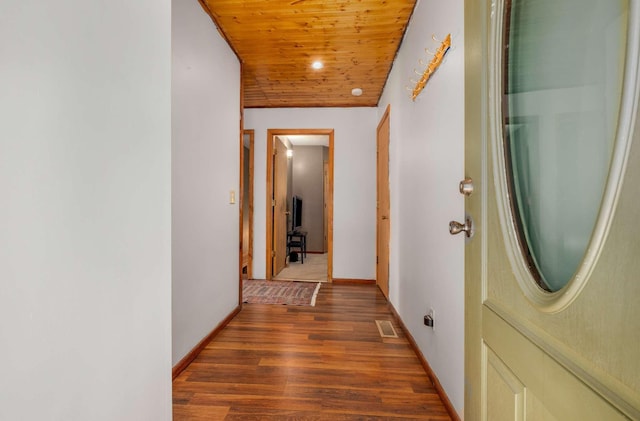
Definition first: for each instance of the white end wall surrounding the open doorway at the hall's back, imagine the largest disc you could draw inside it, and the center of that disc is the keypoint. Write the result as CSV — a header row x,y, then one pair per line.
x,y
354,207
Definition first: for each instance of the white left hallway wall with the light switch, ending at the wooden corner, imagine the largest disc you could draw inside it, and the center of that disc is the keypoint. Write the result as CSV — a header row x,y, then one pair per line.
x,y
205,168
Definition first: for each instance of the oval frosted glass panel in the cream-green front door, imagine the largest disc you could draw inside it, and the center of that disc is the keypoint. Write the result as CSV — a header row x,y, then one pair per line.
x,y
563,67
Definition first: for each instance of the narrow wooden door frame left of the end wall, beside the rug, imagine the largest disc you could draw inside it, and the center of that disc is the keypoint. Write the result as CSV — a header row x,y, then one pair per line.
x,y
251,134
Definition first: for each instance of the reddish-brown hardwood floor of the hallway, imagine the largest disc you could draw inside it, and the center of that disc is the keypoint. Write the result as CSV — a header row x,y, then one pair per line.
x,y
326,362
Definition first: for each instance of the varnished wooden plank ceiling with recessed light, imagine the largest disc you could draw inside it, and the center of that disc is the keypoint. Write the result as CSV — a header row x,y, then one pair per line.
x,y
278,40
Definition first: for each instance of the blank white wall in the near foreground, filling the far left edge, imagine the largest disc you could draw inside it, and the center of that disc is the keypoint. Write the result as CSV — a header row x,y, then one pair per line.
x,y
85,216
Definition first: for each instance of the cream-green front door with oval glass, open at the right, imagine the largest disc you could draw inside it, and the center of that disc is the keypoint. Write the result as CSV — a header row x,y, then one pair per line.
x,y
552,332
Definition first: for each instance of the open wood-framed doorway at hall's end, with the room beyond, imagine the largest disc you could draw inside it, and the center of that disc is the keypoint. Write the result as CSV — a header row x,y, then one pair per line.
x,y
305,177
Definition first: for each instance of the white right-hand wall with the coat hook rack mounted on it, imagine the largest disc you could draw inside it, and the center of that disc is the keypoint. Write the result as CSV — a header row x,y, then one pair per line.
x,y
427,163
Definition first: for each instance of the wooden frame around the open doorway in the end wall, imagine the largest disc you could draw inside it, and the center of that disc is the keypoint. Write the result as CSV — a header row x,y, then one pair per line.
x,y
269,208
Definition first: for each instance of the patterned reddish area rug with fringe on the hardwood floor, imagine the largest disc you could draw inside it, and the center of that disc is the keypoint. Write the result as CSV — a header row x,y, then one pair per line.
x,y
280,292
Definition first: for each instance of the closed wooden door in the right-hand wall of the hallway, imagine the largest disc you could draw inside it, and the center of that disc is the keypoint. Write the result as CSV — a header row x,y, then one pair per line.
x,y
382,211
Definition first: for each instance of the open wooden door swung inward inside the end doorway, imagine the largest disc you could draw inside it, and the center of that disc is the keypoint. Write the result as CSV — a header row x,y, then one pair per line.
x,y
279,205
